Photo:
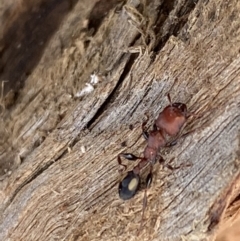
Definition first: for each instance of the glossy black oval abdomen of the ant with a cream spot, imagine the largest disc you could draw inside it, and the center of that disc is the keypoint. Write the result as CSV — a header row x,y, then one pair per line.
x,y
129,186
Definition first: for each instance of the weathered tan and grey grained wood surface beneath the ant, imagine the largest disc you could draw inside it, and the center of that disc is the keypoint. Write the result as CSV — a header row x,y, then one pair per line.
x,y
62,178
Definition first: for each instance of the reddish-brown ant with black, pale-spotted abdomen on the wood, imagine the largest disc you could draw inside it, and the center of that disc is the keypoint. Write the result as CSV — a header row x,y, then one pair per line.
x,y
168,123
